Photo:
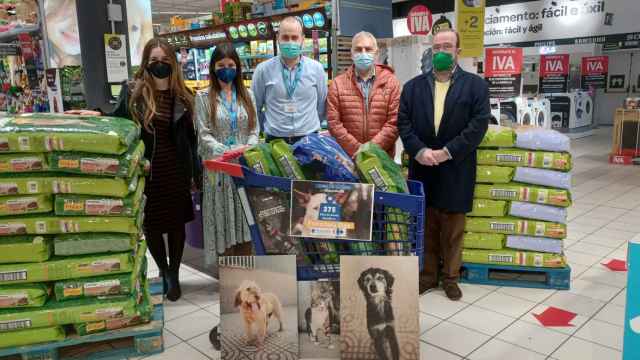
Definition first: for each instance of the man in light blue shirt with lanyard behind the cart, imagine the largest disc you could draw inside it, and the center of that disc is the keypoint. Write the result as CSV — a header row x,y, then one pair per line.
x,y
290,89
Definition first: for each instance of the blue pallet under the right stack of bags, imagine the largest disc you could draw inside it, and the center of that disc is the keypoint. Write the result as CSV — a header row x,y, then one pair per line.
x,y
516,276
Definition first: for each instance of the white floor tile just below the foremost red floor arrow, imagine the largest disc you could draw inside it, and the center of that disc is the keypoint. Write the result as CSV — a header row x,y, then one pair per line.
x,y
533,337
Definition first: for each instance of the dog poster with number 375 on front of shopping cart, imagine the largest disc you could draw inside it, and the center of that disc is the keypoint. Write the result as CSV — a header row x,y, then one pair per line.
x,y
332,210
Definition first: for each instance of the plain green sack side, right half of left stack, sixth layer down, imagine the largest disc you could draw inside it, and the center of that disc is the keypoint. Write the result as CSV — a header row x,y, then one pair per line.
x,y
98,243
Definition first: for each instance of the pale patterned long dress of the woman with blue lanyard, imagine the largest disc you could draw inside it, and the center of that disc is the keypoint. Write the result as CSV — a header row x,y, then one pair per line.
x,y
223,219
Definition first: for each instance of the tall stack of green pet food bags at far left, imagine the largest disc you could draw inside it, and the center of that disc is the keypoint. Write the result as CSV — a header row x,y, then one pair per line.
x,y
72,260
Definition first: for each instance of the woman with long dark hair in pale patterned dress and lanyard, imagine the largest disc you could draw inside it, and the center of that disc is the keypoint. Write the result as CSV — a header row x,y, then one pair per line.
x,y
226,119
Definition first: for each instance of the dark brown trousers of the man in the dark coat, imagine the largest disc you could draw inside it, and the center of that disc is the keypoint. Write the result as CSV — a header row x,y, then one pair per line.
x,y
443,246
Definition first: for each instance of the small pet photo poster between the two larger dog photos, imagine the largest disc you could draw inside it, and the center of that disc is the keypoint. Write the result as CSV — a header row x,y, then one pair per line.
x,y
319,319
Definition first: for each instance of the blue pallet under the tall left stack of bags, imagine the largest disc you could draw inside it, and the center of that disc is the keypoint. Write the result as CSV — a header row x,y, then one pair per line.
x,y
124,343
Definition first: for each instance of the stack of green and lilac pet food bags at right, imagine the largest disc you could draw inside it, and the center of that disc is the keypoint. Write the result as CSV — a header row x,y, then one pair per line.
x,y
521,197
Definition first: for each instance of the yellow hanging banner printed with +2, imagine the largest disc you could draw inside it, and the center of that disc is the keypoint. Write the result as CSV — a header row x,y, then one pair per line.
x,y
470,15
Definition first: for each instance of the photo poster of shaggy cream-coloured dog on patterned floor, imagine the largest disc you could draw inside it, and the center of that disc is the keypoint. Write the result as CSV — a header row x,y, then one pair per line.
x,y
258,307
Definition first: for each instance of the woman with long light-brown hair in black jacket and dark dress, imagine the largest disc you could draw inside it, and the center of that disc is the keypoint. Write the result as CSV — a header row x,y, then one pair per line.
x,y
160,102
